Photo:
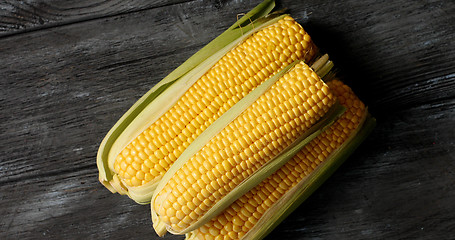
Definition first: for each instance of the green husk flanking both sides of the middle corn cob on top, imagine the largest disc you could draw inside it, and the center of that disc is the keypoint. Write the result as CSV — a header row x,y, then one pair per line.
x,y
273,165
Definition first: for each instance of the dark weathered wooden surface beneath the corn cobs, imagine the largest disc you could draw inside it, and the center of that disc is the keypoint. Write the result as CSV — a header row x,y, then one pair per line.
x,y
70,69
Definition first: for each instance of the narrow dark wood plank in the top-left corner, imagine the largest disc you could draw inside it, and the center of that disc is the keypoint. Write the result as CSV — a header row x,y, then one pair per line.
x,y
23,16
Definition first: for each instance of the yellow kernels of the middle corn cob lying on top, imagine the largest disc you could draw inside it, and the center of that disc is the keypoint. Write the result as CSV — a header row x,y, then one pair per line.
x,y
272,123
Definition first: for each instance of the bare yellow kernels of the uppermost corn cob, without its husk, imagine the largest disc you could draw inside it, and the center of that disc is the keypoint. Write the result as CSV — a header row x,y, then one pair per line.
x,y
149,155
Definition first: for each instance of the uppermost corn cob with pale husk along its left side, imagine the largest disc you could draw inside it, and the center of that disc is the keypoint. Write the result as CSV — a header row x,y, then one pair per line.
x,y
142,153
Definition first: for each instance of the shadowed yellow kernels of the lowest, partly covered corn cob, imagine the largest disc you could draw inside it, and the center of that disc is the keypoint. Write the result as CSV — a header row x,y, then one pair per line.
x,y
244,214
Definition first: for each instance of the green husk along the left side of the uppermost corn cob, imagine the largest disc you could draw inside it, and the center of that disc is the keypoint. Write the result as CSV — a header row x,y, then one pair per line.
x,y
161,97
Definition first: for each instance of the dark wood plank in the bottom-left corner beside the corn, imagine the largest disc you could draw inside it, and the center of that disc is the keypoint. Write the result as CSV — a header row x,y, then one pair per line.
x,y
61,207
